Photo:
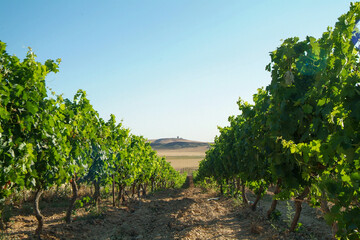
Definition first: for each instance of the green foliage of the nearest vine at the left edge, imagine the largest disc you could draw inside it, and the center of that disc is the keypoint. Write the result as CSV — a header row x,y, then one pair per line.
x,y
22,98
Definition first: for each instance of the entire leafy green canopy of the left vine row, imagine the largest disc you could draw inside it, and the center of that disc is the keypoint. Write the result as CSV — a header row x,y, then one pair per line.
x,y
46,140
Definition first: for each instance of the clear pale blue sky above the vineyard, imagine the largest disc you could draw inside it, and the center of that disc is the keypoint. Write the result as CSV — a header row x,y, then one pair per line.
x,y
166,68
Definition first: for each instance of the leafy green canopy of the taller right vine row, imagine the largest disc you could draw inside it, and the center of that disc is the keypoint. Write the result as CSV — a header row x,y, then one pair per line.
x,y
303,129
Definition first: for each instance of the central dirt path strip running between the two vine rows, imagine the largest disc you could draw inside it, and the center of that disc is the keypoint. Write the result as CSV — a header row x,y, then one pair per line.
x,y
186,214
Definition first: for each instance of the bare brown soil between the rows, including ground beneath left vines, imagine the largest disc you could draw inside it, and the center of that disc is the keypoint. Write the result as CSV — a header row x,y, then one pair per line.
x,y
188,213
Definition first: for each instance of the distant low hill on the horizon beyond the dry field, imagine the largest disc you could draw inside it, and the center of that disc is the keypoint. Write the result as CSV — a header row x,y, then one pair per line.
x,y
176,143
